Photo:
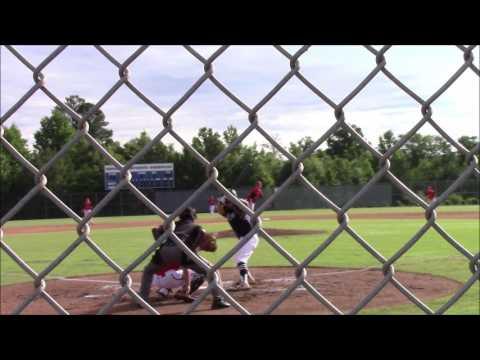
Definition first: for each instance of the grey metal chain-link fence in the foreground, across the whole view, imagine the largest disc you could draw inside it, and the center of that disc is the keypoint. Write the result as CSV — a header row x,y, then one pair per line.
x,y
299,267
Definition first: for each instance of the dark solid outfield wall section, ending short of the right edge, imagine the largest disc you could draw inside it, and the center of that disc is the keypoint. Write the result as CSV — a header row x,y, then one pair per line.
x,y
125,203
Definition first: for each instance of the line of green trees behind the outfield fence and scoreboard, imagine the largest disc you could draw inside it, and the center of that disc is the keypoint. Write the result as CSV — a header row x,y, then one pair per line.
x,y
344,161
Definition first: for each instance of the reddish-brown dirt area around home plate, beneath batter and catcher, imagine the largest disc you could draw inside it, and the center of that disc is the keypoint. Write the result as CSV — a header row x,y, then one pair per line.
x,y
343,287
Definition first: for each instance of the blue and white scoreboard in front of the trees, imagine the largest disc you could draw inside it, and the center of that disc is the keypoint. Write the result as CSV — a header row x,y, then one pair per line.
x,y
146,176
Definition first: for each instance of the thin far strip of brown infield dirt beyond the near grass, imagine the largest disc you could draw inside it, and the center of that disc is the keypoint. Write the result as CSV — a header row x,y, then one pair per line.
x,y
218,220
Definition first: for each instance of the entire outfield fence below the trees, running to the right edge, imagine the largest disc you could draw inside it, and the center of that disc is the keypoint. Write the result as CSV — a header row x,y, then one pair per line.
x,y
382,194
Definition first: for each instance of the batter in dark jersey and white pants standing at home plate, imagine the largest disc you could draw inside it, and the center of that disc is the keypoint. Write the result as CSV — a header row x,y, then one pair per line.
x,y
241,226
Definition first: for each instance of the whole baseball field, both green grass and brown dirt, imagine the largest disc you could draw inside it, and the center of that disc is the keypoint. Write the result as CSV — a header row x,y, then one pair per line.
x,y
344,273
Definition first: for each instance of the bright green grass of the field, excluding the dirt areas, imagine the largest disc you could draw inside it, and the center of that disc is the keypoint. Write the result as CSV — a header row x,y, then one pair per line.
x,y
432,254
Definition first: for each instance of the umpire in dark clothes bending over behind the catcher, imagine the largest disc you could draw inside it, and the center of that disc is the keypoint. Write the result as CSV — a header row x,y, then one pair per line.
x,y
169,254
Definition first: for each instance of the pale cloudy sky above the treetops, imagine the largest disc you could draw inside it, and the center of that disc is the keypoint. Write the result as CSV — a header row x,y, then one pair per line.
x,y
165,73
